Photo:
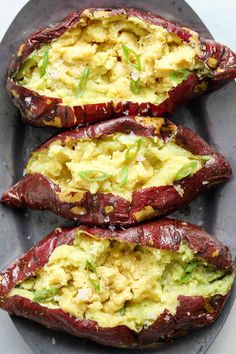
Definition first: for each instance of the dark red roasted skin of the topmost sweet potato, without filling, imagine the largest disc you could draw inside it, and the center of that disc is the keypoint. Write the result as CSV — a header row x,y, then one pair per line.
x,y
40,110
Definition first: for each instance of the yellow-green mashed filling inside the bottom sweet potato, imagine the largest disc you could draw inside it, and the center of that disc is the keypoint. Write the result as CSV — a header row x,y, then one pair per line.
x,y
120,283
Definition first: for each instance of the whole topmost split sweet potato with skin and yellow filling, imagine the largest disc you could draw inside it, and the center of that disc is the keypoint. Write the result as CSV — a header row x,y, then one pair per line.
x,y
101,64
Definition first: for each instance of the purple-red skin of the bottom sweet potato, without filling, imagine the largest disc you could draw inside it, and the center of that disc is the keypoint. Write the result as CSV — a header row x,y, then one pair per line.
x,y
192,312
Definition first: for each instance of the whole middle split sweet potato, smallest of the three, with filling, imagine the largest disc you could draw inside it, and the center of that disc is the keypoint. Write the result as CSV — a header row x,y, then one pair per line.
x,y
119,172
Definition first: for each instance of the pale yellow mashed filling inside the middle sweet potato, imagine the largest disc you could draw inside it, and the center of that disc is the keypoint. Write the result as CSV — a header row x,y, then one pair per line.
x,y
118,164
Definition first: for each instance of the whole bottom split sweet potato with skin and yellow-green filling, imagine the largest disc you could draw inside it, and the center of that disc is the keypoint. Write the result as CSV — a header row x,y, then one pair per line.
x,y
135,288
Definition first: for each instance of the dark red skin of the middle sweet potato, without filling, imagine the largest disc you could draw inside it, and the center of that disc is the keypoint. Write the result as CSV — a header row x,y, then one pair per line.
x,y
38,192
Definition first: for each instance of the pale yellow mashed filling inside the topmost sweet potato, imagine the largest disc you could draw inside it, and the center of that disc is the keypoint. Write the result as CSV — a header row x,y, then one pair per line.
x,y
105,58
